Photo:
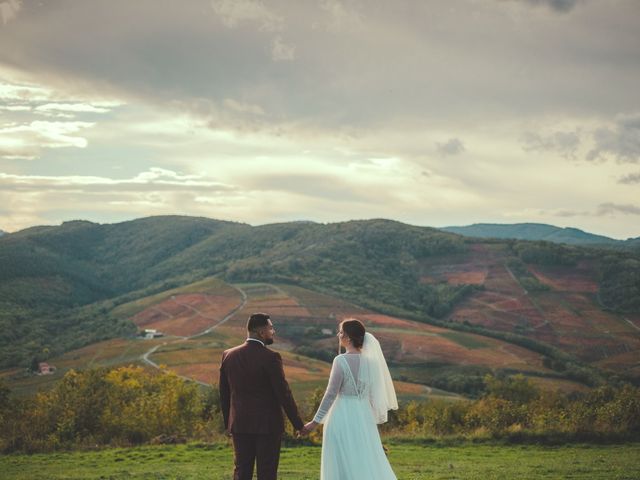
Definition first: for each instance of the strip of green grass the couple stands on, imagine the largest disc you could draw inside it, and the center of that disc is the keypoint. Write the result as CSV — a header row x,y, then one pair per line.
x,y
410,462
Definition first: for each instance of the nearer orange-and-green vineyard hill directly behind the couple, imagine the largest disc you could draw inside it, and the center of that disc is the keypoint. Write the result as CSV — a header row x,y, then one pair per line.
x,y
200,320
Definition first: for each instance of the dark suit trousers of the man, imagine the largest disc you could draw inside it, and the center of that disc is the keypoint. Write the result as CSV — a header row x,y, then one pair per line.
x,y
255,448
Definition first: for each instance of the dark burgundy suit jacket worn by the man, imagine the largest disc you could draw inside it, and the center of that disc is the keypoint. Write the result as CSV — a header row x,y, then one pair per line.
x,y
253,391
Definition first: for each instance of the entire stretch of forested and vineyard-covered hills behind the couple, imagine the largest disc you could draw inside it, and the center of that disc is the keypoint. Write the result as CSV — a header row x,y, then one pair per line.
x,y
449,308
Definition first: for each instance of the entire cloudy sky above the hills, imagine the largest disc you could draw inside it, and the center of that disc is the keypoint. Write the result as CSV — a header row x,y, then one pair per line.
x,y
432,113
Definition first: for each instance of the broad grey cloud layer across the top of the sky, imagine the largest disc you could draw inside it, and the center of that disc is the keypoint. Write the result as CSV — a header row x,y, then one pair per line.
x,y
236,49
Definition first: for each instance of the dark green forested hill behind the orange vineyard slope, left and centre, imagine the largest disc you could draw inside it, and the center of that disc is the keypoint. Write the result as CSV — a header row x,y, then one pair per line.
x,y
59,284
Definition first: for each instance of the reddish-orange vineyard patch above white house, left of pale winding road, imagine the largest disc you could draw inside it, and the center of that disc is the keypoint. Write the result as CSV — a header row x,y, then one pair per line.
x,y
188,314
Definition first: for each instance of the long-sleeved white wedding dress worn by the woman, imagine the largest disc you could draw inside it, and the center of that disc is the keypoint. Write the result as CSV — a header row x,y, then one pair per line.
x,y
351,446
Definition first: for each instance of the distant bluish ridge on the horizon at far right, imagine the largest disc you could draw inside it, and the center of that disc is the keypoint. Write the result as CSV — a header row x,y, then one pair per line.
x,y
537,231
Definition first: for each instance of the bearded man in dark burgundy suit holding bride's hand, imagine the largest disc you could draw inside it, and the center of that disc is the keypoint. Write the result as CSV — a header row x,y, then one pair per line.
x,y
253,392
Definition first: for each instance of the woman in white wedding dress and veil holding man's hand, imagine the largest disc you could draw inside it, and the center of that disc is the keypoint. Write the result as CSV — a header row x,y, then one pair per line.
x,y
358,396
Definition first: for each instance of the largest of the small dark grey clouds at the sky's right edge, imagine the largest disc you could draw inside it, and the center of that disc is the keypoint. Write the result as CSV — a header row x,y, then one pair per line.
x,y
620,142
